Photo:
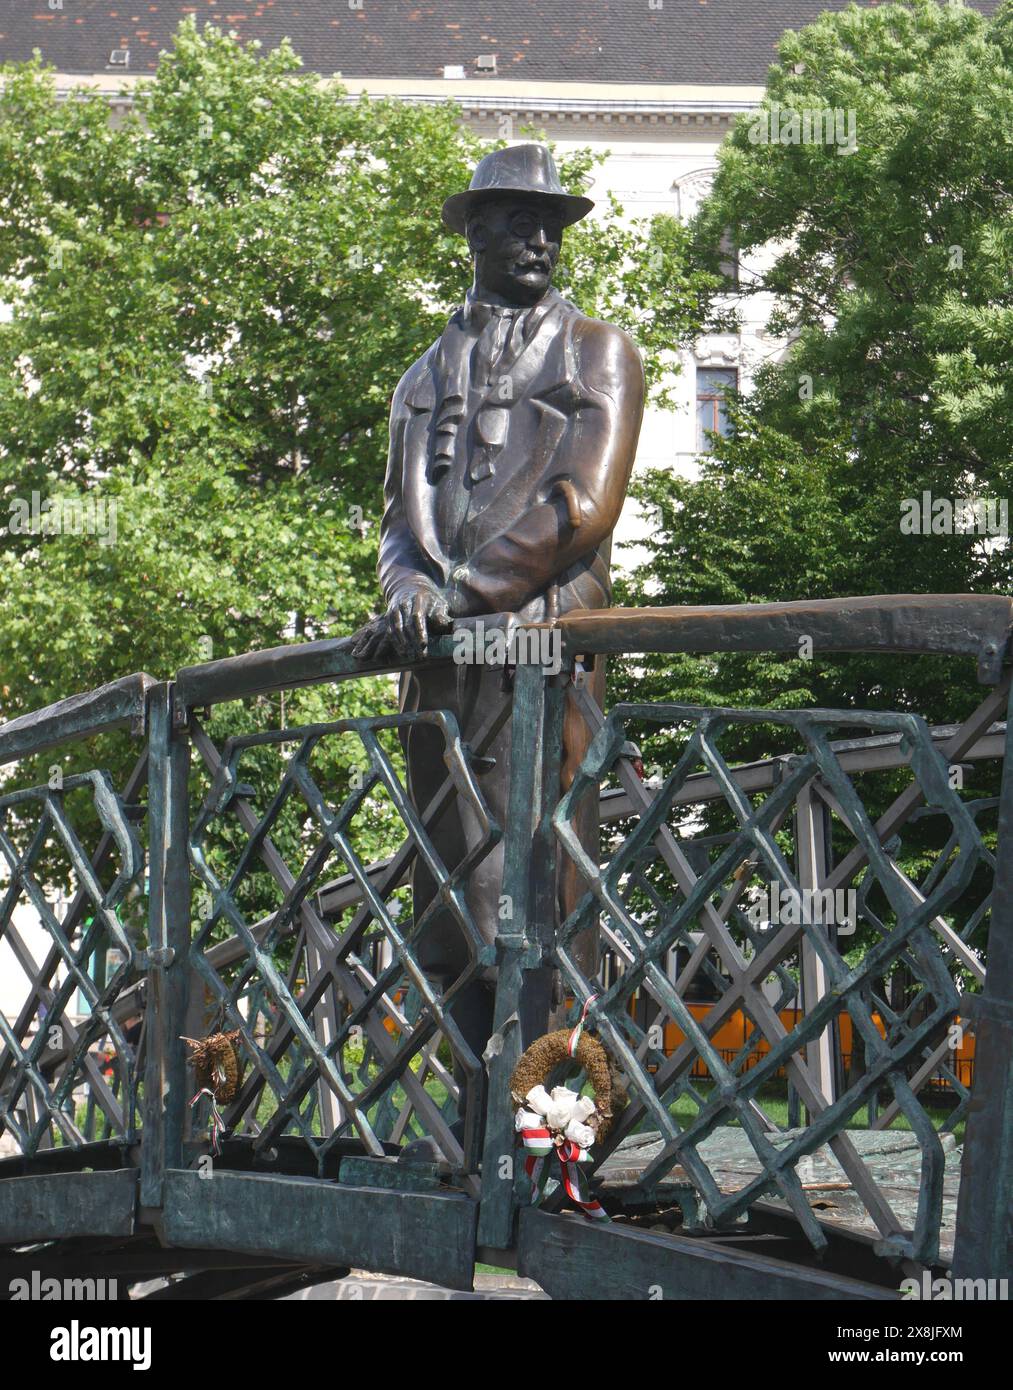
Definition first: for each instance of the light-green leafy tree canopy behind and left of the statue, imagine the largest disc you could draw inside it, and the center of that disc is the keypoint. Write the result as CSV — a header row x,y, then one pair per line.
x,y
211,305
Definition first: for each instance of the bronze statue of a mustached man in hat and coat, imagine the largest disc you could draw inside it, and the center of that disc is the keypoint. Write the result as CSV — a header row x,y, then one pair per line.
x,y
512,444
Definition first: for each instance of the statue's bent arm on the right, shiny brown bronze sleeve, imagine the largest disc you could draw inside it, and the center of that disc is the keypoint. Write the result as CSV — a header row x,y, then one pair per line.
x,y
583,489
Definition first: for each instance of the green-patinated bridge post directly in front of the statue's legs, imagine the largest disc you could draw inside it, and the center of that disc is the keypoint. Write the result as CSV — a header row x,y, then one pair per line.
x,y
525,983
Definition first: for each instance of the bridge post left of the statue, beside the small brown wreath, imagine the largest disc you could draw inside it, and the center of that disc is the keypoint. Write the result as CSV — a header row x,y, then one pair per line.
x,y
169,979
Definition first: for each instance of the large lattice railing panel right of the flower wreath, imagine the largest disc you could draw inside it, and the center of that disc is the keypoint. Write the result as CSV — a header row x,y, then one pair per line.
x,y
680,911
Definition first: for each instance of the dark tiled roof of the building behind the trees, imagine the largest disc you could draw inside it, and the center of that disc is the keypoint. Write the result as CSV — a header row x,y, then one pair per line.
x,y
551,41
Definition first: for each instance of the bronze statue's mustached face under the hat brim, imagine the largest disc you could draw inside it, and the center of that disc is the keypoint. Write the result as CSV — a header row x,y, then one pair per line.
x,y
516,244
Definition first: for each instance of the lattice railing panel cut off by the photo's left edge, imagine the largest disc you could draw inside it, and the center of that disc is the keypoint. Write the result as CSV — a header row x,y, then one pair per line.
x,y
70,1058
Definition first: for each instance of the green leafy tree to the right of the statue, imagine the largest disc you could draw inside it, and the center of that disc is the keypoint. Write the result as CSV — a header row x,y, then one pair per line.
x,y
891,275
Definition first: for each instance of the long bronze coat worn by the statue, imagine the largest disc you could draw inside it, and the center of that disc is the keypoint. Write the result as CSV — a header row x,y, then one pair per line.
x,y
505,489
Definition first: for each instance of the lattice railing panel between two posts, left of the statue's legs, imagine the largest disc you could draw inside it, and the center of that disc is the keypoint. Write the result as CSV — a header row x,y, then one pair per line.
x,y
343,1032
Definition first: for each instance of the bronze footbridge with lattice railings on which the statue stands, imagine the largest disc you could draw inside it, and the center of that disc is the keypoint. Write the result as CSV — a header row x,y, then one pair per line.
x,y
771,1172
